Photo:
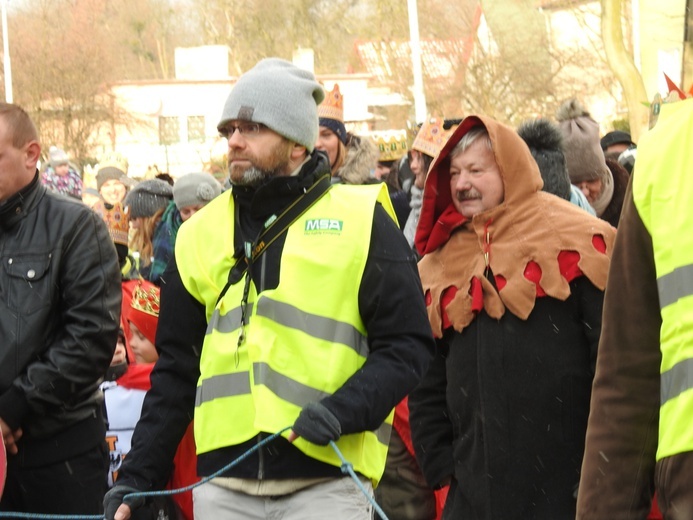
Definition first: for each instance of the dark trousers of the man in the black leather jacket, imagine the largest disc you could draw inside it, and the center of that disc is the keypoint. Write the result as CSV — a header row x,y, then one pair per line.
x,y
71,487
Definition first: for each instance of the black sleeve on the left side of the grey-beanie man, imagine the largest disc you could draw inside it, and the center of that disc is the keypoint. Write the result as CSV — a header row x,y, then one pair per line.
x,y
169,404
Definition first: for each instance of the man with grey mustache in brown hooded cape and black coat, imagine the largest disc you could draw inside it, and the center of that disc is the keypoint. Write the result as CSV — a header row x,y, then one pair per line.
x,y
513,279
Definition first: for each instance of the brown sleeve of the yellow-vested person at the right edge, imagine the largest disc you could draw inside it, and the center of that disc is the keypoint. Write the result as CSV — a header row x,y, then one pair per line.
x,y
618,467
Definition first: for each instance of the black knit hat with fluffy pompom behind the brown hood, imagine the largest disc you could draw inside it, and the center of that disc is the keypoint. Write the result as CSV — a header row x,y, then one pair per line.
x,y
545,143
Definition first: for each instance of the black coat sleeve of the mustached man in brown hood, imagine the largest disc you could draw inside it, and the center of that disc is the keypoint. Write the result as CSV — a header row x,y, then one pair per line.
x,y
431,429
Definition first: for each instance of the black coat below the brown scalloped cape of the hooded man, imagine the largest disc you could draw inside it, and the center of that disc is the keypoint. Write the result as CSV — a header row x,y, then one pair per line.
x,y
503,410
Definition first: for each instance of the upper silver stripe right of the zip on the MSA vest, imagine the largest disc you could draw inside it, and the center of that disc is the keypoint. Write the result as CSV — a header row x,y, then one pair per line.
x,y
319,327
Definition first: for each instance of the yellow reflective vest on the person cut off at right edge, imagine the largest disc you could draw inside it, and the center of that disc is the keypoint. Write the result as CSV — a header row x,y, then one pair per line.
x,y
663,196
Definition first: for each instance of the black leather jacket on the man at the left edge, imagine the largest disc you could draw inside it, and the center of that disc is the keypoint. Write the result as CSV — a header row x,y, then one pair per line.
x,y
59,316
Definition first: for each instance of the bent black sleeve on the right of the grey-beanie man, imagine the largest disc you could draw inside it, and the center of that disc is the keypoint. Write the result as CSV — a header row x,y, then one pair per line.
x,y
401,344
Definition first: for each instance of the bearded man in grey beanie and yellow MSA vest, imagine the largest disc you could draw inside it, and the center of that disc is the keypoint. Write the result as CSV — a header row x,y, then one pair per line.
x,y
283,307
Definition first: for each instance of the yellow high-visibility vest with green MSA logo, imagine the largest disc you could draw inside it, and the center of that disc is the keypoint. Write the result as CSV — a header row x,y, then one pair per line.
x,y
303,339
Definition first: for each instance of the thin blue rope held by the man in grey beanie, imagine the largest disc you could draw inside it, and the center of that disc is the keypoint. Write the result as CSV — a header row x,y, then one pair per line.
x,y
347,468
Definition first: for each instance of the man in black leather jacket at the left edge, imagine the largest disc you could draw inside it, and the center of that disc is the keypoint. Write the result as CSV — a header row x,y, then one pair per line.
x,y
59,313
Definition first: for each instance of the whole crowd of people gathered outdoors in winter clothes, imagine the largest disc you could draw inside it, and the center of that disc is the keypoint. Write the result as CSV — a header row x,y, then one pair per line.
x,y
487,322
